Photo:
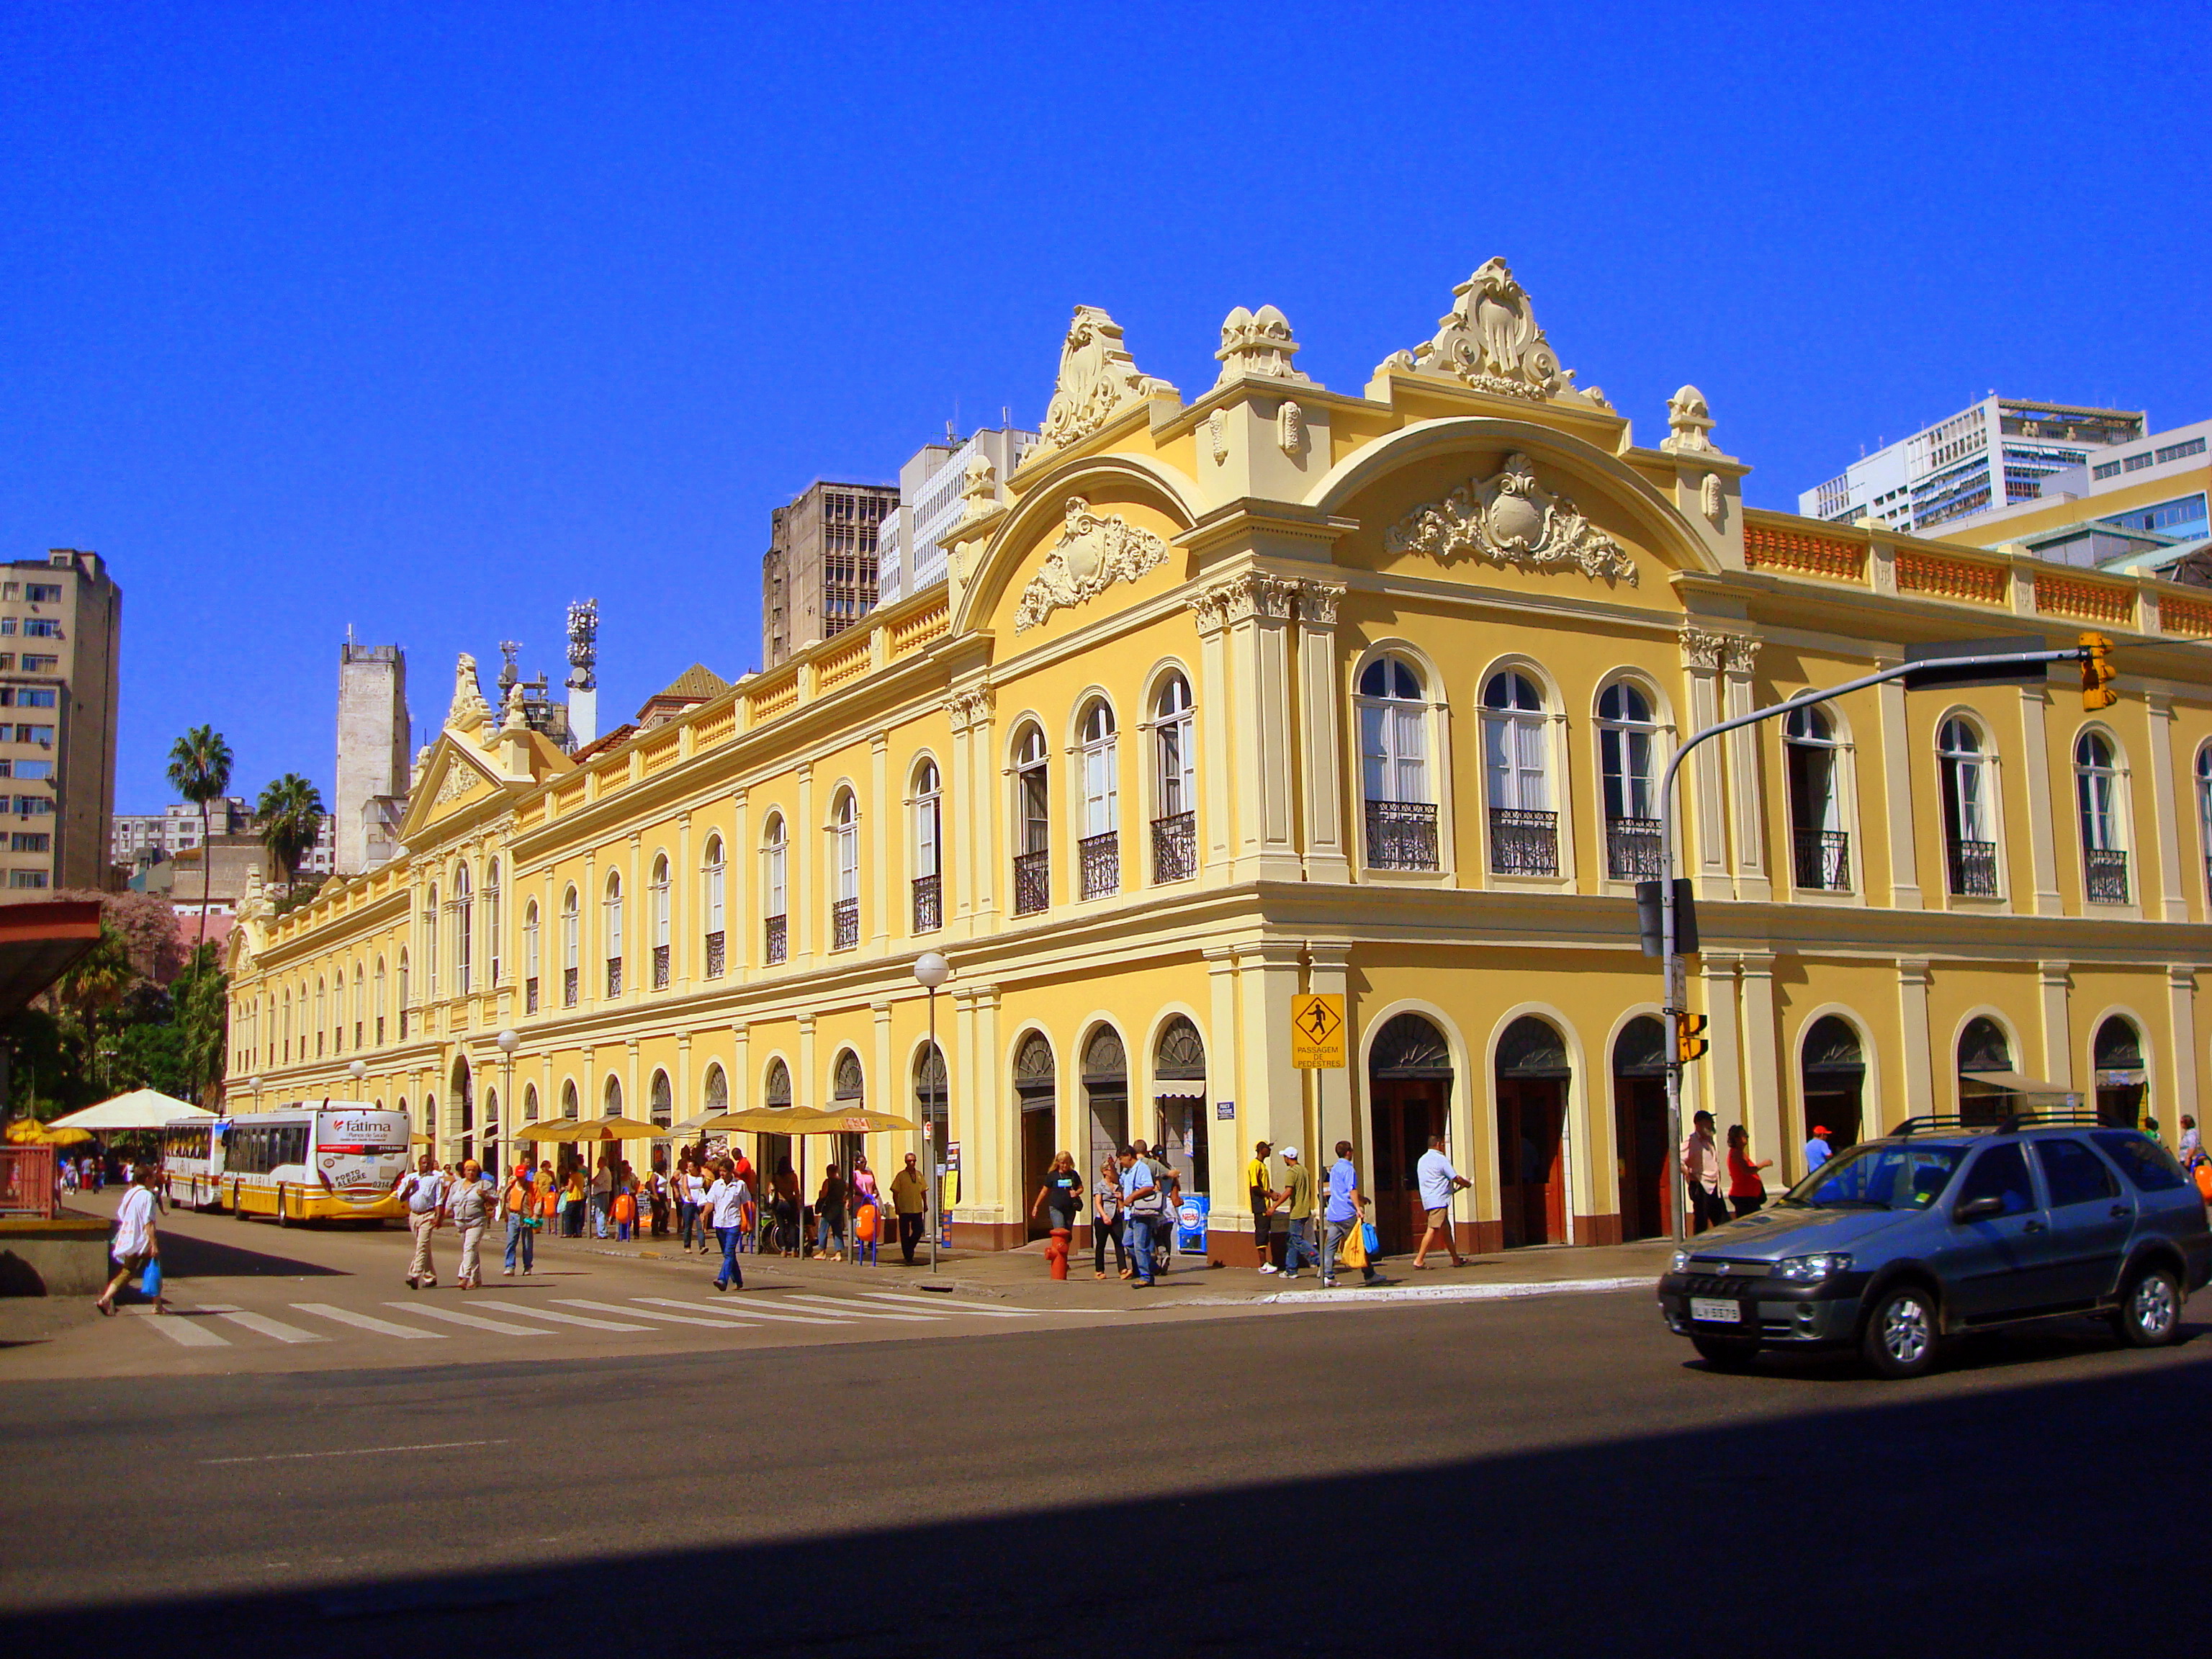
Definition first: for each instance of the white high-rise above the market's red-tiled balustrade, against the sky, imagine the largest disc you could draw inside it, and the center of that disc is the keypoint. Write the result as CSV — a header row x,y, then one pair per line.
x,y
1979,461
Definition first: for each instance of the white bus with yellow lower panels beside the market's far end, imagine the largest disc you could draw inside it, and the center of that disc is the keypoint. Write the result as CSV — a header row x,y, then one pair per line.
x,y
311,1162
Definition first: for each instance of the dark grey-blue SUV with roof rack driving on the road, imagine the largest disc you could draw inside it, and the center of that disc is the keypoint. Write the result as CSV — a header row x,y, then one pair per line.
x,y
1948,1229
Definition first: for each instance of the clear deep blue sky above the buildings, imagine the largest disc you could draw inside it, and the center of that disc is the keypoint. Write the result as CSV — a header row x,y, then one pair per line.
x,y
428,320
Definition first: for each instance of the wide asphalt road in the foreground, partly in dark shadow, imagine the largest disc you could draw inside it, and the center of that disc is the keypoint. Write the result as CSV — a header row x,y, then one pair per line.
x,y
1552,1477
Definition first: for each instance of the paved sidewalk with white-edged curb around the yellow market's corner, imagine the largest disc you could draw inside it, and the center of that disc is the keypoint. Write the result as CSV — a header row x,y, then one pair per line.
x,y
1019,1277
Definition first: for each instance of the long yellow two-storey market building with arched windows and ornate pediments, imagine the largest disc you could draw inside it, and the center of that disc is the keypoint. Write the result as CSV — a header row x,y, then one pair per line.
x,y
1284,691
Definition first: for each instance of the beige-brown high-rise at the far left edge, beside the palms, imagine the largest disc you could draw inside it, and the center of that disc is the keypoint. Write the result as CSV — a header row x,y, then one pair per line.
x,y
61,627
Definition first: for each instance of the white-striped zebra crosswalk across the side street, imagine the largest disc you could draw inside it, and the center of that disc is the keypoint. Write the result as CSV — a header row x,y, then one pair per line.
x,y
424,1322
